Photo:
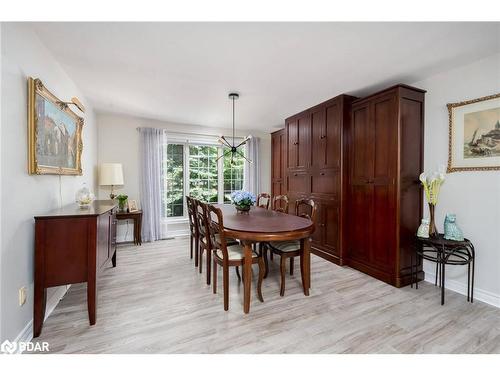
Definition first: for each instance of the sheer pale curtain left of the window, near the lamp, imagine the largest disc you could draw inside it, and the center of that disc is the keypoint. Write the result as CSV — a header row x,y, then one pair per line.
x,y
151,155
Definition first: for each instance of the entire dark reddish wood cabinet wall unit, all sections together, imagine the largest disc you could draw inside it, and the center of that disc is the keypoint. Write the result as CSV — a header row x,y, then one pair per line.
x,y
359,159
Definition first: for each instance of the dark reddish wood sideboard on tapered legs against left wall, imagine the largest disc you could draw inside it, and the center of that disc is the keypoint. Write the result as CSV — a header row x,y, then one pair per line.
x,y
72,245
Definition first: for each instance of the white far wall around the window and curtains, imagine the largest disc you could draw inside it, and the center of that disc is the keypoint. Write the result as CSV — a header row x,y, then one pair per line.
x,y
119,143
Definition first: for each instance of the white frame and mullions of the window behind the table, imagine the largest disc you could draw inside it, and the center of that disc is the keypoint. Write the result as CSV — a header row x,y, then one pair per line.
x,y
195,140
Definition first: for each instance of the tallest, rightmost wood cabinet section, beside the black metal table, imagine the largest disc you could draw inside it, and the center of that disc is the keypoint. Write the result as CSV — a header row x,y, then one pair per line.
x,y
385,201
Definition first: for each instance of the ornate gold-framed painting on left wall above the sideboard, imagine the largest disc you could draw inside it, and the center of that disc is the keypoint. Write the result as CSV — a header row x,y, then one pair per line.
x,y
54,133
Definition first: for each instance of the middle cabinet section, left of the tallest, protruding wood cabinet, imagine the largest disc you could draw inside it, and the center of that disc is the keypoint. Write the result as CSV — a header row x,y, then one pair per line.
x,y
314,168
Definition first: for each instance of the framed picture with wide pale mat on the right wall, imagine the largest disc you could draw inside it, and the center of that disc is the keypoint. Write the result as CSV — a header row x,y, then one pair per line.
x,y
474,135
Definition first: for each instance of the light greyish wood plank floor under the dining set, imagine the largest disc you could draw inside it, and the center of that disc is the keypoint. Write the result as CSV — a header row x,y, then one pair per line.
x,y
156,302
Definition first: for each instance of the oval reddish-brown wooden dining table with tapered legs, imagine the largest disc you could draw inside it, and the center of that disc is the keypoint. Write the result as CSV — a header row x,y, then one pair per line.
x,y
262,225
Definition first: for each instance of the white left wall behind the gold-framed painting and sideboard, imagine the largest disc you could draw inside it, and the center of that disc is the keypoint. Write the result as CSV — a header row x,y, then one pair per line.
x,y
22,195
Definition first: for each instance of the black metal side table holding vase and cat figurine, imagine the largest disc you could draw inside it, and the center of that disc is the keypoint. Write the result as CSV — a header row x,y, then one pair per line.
x,y
442,252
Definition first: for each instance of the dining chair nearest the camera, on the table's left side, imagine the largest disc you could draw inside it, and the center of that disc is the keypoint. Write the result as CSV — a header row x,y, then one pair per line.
x,y
226,255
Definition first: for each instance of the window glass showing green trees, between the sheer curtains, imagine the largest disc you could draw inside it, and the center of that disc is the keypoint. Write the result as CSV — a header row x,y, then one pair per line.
x,y
191,169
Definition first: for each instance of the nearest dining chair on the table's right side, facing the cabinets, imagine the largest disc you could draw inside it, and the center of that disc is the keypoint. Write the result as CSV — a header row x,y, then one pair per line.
x,y
291,249
